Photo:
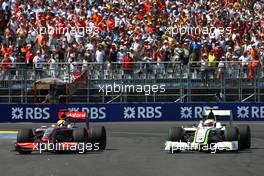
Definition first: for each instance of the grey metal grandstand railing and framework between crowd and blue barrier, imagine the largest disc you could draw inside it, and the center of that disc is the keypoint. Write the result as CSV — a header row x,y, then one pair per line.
x,y
183,83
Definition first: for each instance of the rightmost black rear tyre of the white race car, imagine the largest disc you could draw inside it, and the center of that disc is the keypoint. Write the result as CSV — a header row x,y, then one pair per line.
x,y
244,136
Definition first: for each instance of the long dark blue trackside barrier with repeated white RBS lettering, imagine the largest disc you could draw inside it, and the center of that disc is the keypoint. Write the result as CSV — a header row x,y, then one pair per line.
x,y
39,113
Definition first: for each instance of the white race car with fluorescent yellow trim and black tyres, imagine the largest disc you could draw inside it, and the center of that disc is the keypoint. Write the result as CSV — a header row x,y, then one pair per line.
x,y
210,135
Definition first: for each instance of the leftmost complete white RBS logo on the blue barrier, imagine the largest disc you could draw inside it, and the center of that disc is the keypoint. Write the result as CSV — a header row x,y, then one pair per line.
x,y
30,113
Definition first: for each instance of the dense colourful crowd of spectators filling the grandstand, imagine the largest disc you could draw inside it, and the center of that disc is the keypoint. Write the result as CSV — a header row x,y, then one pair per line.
x,y
203,34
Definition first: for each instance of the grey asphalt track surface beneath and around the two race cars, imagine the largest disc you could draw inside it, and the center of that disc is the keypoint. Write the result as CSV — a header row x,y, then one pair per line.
x,y
134,149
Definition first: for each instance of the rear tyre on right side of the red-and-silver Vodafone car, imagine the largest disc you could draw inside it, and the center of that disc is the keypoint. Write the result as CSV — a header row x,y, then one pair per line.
x,y
98,135
